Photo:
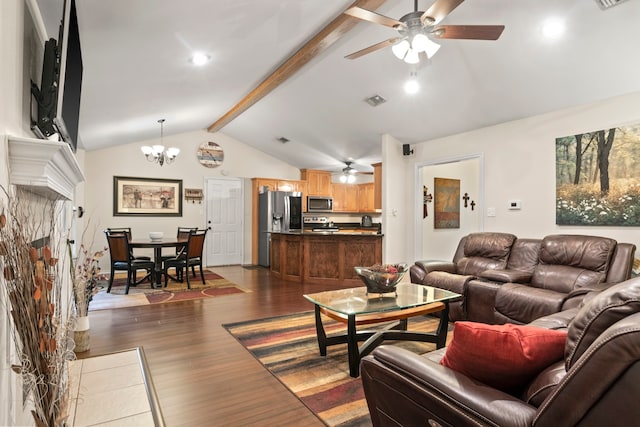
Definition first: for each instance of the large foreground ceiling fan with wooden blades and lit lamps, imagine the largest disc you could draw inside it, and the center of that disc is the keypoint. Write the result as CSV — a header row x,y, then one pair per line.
x,y
417,28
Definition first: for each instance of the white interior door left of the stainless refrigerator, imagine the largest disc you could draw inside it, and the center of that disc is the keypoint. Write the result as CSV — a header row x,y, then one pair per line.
x,y
224,204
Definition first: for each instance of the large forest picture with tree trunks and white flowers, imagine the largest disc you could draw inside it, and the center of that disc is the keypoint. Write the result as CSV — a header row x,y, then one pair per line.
x,y
598,177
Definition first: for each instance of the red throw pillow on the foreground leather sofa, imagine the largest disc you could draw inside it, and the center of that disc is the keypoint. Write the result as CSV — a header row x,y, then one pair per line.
x,y
506,357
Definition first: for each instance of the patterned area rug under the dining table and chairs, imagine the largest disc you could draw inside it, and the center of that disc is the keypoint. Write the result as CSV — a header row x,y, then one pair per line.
x,y
144,294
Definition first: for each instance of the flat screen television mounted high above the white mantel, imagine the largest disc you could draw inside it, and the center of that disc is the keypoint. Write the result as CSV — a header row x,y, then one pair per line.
x,y
61,86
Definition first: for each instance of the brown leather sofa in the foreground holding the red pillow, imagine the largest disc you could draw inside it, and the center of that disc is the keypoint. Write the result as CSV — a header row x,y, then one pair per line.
x,y
597,383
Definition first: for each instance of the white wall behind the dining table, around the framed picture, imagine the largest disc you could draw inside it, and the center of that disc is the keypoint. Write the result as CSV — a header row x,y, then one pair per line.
x,y
240,161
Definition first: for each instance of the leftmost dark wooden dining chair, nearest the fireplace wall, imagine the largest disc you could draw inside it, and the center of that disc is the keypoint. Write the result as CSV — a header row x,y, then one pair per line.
x,y
119,252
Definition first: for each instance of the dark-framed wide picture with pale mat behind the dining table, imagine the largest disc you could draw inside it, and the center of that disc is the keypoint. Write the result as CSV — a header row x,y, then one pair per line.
x,y
147,196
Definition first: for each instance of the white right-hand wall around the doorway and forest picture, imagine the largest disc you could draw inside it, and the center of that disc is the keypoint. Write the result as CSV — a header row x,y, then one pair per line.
x,y
519,163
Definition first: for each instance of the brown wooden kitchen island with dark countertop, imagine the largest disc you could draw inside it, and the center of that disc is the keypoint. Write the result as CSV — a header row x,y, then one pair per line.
x,y
324,257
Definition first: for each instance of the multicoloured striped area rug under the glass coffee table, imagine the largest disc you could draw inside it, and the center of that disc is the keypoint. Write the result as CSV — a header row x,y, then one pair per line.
x,y
287,347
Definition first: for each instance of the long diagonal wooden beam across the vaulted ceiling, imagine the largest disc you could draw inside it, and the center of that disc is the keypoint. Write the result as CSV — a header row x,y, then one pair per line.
x,y
318,44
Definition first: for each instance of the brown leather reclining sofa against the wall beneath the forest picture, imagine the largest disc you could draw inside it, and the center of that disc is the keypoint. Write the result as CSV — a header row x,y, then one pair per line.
x,y
505,279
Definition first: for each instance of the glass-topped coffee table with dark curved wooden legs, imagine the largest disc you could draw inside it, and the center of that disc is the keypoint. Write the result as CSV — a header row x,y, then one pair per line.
x,y
354,307
